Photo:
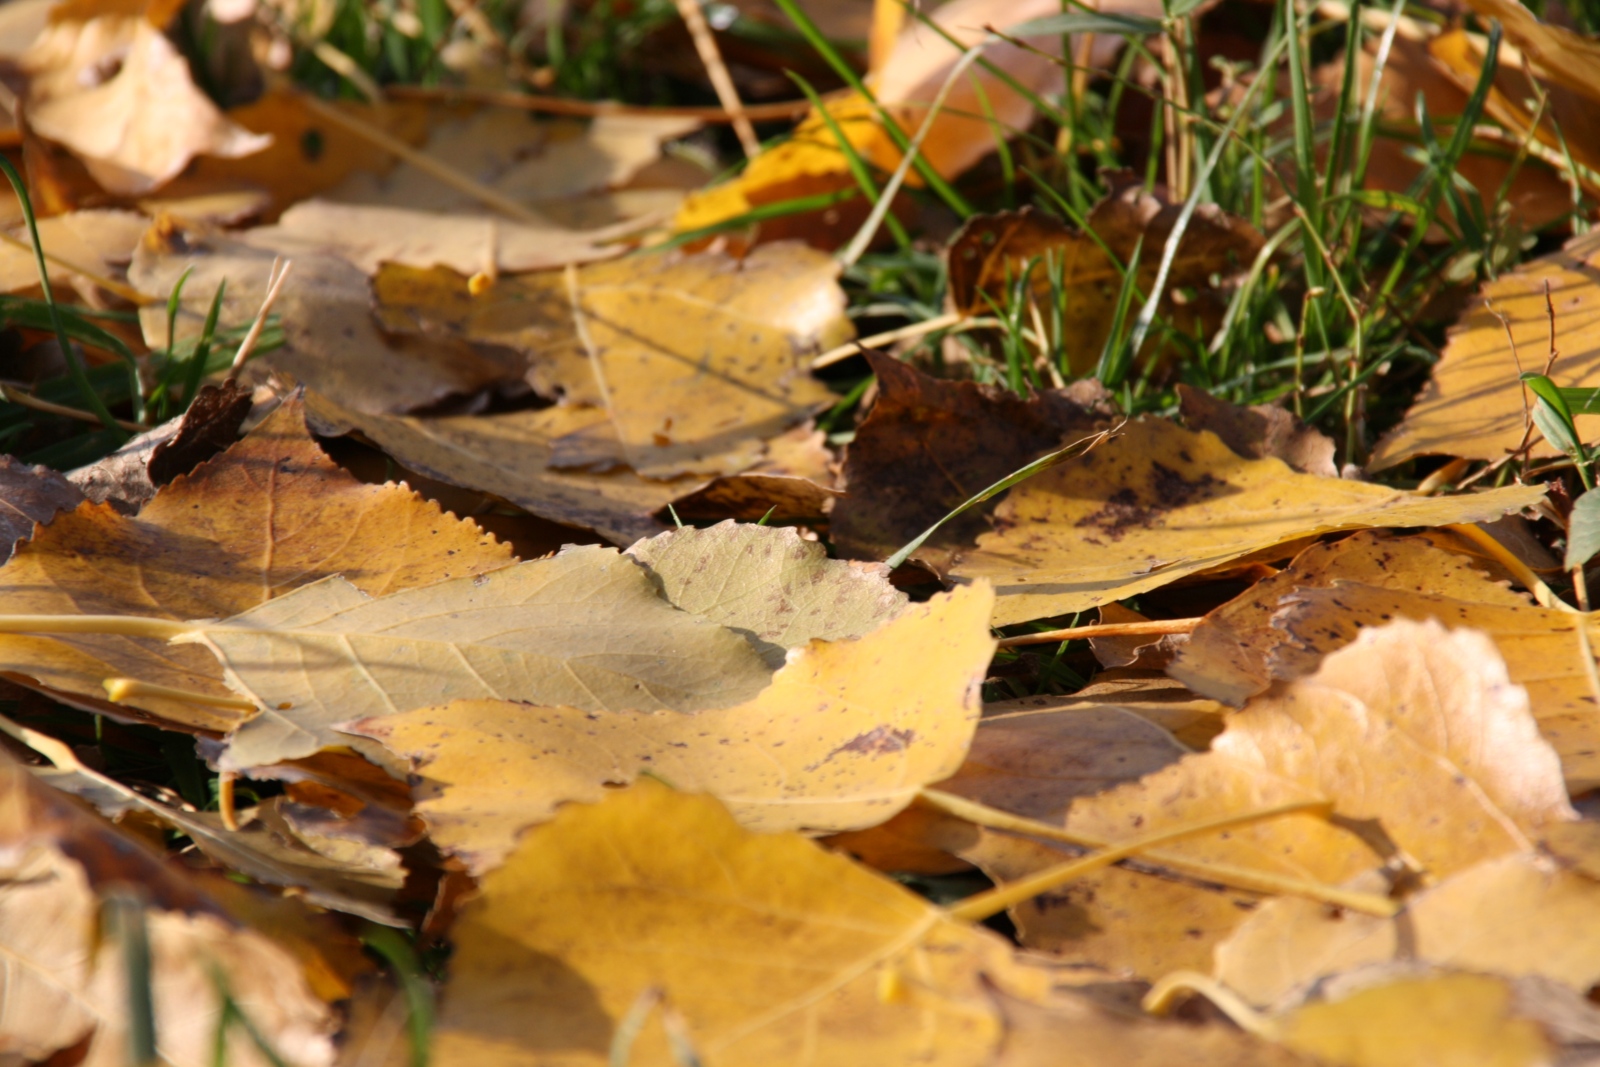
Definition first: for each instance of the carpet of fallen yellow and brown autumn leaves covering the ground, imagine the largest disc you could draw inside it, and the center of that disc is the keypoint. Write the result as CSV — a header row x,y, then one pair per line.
x,y
663,802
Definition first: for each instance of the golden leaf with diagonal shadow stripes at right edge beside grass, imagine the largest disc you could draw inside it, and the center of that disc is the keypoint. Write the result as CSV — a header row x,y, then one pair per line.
x,y
1473,404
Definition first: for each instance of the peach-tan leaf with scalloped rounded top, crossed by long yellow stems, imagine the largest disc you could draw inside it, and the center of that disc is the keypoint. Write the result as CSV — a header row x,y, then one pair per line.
x,y
1414,727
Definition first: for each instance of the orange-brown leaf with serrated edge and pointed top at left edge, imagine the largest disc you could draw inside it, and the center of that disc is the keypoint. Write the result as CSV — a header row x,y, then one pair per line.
x,y
270,514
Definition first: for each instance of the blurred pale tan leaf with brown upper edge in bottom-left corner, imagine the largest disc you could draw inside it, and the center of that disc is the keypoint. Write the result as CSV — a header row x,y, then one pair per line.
x,y
65,978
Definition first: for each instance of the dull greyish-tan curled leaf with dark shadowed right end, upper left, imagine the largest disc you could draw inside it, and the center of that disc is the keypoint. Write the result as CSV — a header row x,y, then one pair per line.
x,y
326,308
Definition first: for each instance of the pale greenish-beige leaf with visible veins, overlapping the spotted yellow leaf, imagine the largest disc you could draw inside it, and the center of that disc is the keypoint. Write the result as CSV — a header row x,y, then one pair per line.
x,y
582,628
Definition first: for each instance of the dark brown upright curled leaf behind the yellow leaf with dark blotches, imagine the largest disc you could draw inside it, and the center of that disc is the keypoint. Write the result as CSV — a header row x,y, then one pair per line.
x,y
929,446
